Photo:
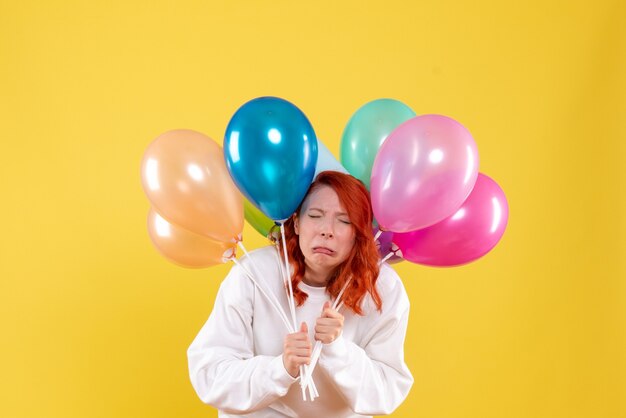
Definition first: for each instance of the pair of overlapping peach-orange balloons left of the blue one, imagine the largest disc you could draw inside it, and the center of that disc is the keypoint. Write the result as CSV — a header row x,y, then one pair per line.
x,y
196,217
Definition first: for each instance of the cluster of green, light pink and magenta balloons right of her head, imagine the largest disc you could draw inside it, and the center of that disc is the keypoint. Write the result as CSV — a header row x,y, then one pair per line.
x,y
431,204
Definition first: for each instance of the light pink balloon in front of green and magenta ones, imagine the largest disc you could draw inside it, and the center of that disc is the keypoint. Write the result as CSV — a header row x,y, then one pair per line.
x,y
423,173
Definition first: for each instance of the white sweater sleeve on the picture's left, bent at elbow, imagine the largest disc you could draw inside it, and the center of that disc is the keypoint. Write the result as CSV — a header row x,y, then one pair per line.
x,y
223,368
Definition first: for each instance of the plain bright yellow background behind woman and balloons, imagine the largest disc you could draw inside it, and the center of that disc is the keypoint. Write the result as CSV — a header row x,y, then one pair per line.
x,y
95,323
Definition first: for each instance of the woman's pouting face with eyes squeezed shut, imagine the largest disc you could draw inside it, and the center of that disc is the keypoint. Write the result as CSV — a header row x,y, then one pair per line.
x,y
325,233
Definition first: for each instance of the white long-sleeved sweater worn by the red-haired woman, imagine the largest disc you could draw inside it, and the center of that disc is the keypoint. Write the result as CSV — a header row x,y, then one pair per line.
x,y
235,361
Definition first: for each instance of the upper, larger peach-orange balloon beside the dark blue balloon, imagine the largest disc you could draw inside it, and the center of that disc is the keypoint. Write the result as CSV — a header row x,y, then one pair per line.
x,y
184,176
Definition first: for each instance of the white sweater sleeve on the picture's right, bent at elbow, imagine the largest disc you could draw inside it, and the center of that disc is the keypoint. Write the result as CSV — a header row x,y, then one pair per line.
x,y
372,376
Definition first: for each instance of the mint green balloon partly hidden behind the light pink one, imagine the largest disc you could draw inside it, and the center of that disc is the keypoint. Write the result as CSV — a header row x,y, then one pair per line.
x,y
366,131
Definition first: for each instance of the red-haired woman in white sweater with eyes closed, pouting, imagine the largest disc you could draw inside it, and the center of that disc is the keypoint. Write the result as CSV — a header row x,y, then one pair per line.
x,y
244,361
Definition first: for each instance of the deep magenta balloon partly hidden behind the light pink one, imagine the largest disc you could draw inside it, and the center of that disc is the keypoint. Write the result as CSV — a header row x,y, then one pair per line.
x,y
468,234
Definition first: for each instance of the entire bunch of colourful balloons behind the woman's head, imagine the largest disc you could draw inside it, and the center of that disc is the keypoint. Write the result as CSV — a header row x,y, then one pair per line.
x,y
431,204
